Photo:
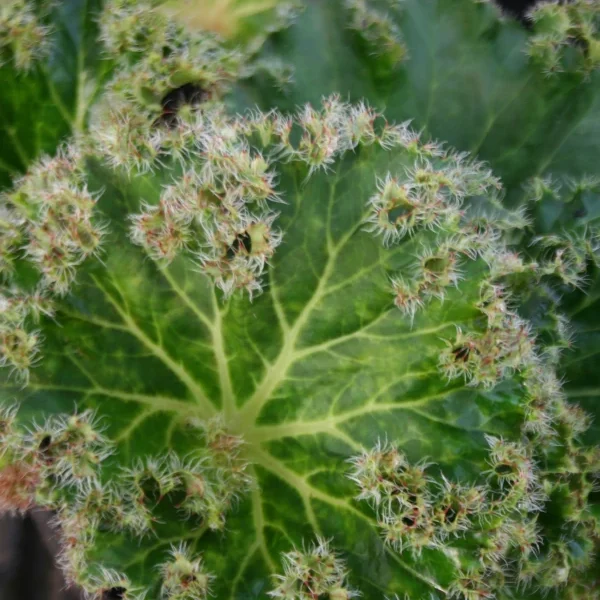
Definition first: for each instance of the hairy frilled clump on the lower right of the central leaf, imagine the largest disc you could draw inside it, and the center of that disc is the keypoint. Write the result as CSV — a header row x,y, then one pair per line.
x,y
491,528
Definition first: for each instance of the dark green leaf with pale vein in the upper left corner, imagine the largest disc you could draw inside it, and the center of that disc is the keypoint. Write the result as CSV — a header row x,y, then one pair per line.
x,y
46,104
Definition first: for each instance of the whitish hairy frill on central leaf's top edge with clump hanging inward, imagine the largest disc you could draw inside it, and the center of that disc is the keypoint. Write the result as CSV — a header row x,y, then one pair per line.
x,y
219,210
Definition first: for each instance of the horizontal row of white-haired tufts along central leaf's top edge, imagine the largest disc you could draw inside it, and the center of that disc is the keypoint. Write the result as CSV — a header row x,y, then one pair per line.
x,y
325,134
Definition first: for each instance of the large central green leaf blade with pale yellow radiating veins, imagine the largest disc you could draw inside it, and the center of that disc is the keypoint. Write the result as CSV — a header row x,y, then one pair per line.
x,y
317,368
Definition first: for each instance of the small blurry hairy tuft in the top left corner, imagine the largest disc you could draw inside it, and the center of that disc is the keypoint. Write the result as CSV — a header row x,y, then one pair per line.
x,y
23,36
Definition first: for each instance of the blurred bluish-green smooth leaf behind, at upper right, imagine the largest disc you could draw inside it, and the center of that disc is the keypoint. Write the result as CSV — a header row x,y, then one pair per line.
x,y
467,80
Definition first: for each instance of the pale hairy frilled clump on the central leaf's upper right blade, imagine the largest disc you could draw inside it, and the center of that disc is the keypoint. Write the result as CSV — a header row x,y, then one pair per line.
x,y
429,196
